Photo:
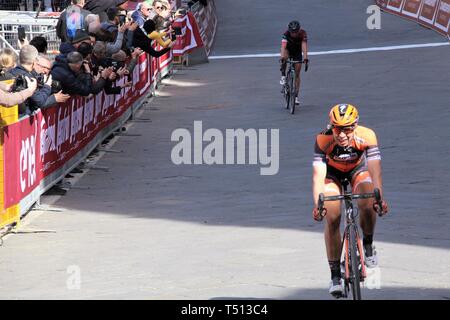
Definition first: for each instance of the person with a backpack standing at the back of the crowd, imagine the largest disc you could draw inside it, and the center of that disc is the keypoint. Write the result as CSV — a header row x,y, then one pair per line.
x,y
71,20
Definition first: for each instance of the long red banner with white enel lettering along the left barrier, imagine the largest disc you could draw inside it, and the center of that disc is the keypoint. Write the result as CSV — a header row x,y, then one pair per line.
x,y
38,145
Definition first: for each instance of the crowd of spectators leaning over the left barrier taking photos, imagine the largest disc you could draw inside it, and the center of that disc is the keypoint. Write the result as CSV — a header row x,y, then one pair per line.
x,y
100,43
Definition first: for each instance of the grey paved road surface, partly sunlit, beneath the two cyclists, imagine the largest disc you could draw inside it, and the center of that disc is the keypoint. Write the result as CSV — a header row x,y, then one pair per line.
x,y
149,229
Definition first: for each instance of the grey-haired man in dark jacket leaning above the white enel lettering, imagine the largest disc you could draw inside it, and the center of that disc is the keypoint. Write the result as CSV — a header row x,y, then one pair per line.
x,y
27,63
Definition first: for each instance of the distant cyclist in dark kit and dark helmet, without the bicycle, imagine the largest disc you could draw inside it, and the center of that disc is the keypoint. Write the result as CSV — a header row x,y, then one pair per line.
x,y
293,44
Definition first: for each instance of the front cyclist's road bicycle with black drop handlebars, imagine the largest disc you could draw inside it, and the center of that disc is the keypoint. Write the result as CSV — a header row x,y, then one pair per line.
x,y
355,271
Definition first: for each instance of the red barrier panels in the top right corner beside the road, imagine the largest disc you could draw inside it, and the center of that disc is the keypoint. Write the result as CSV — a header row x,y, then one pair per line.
x,y
434,14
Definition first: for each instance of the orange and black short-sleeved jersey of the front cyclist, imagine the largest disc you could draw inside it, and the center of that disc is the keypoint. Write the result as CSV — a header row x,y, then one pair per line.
x,y
363,147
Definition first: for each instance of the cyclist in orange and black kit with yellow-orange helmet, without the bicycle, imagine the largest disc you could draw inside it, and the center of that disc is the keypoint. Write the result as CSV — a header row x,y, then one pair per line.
x,y
347,150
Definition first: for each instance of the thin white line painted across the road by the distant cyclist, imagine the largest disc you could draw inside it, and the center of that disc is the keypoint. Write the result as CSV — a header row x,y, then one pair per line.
x,y
343,51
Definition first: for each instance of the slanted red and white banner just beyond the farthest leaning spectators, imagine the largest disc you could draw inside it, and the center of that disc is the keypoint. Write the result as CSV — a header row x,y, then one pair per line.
x,y
190,38
